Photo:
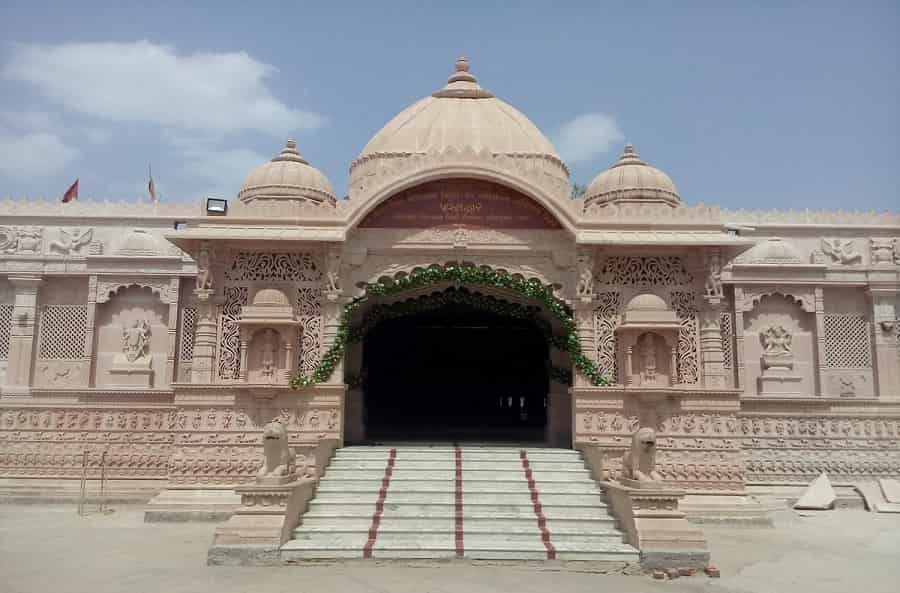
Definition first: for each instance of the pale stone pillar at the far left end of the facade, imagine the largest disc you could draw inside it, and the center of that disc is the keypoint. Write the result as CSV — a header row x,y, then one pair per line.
x,y
21,338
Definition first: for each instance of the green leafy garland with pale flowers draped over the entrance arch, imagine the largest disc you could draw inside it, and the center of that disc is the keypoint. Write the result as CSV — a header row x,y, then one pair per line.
x,y
459,274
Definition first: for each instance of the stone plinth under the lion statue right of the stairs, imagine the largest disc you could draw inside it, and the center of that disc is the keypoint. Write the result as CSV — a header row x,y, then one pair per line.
x,y
652,522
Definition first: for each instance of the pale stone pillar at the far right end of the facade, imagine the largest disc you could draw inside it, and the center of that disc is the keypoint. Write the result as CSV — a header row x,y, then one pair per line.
x,y
884,341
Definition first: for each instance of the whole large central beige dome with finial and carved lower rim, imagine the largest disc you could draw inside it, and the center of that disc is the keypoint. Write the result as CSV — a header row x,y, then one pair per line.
x,y
461,118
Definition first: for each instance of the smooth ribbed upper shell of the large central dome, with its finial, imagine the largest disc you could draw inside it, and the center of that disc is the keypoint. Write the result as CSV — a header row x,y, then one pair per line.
x,y
460,116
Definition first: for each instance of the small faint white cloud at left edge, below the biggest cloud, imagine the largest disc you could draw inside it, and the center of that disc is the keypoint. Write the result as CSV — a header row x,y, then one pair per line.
x,y
33,154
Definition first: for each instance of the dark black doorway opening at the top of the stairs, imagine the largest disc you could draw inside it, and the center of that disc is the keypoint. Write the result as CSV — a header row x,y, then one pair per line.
x,y
455,373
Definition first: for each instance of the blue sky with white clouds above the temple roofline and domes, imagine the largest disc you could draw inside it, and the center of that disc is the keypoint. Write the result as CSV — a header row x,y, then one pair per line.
x,y
764,105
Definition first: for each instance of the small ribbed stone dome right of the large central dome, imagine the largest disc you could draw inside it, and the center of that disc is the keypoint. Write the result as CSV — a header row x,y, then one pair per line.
x,y
631,180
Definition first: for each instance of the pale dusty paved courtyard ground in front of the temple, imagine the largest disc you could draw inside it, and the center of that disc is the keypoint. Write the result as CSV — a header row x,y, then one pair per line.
x,y
44,549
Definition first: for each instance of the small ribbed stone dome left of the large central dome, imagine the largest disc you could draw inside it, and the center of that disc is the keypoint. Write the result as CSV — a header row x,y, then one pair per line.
x,y
287,177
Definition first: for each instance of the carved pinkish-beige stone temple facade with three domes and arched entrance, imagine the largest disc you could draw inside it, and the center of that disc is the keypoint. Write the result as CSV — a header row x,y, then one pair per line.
x,y
459,293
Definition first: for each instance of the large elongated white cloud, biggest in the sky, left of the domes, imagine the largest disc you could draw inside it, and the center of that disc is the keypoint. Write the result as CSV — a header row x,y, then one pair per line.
x,y
149,83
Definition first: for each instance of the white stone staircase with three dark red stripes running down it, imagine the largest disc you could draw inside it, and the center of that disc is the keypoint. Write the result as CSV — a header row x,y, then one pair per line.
x,y
420,502
